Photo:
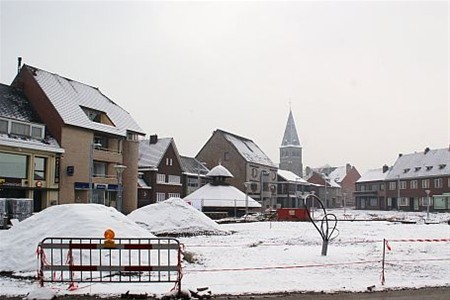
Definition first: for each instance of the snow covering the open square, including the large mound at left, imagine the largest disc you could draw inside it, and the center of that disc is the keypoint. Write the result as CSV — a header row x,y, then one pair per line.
x,y
260,257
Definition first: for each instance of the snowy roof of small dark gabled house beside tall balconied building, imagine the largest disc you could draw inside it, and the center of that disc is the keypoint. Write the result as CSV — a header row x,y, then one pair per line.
x,y
150,155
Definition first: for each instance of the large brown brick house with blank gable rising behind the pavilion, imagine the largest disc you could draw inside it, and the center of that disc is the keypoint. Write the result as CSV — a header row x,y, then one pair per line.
x,y
250,166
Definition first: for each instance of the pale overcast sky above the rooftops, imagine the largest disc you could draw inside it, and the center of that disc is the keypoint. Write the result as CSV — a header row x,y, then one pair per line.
x,y
366,79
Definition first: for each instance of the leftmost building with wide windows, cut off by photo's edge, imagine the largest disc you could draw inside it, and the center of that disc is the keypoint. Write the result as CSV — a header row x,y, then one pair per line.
x,y
29,155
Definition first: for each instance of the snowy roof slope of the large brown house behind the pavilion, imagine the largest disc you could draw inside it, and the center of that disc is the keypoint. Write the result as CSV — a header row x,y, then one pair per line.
x,y
247,149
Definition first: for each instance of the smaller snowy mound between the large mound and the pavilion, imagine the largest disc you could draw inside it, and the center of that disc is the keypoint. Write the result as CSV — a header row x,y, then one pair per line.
x,y
174,217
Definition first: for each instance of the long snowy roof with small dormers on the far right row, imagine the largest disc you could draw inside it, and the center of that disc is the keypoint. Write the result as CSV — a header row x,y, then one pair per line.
x,y
435,162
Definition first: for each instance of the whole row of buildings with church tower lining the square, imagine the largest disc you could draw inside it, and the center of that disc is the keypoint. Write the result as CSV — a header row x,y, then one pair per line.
x,y
62,141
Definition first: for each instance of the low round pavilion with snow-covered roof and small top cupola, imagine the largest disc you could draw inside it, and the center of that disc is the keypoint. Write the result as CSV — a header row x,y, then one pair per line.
x,y
219,199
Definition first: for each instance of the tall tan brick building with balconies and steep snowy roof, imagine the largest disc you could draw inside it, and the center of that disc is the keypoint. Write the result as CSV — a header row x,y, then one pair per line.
x,y
98,136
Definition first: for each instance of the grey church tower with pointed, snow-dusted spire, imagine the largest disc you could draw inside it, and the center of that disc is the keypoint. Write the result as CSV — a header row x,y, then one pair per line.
x,y
291,150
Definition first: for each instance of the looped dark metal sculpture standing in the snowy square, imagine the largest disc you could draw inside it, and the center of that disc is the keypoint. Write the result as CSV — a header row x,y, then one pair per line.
x,y
327,220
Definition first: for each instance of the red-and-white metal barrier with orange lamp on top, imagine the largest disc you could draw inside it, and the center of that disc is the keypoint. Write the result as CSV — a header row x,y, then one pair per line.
x,y
72,260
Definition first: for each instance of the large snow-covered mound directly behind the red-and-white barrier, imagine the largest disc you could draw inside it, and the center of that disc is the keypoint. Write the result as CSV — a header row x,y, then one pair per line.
x,y
18,244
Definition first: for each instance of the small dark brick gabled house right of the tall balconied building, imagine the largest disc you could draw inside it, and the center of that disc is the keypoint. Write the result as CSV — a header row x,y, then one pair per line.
x,y
161,168
